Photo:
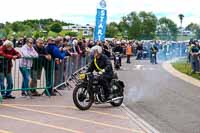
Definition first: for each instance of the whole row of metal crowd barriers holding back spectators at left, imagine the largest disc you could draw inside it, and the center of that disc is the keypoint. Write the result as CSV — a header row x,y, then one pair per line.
x,y
42,74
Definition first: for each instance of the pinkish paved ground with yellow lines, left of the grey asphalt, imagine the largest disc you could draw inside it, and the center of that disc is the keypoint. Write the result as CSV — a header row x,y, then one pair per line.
x,y
59,115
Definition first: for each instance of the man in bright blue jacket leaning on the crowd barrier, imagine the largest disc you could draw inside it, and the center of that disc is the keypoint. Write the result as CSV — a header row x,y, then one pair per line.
x,y
54,51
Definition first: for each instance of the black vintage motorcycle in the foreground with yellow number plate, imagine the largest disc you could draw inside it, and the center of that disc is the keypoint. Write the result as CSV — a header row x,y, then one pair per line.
x,y
88,90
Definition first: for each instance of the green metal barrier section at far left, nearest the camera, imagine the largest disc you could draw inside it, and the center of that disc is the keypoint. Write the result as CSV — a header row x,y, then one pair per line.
x,y
25,74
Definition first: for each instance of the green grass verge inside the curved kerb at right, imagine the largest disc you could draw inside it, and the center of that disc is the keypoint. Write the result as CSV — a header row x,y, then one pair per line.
x,y
185,68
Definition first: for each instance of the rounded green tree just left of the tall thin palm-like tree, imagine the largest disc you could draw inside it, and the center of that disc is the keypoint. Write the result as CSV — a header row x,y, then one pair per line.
x,y
168,28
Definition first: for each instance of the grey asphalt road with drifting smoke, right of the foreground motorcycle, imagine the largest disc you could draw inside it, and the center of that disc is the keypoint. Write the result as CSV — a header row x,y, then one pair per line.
x,y
167,103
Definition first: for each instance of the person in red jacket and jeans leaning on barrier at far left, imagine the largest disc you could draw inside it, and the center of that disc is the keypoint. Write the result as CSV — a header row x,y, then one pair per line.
x,y
7,53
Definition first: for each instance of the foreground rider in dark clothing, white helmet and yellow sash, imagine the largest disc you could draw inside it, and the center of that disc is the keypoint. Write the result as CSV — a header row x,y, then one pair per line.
x,y
102,64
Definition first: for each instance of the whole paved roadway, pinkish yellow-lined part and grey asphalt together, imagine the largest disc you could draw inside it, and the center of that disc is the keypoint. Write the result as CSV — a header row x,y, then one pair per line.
x,y
167,103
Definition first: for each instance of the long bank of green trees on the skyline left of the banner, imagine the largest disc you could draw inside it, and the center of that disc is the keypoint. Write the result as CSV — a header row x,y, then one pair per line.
x,y
28,27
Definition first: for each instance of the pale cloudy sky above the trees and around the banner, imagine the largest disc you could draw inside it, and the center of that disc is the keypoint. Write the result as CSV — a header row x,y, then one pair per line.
x,y
84,11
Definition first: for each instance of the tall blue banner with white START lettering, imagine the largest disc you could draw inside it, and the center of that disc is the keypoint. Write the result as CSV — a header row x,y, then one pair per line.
x,y
101,18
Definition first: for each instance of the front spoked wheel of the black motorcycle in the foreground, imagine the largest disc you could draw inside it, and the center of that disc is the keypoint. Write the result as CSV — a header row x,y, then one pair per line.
x,y
82,98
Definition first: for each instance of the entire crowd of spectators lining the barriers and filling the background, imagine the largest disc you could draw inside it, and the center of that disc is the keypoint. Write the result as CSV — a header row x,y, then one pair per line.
x,y
36,55
